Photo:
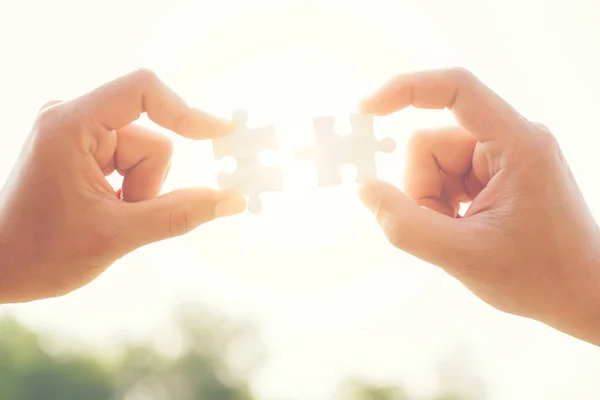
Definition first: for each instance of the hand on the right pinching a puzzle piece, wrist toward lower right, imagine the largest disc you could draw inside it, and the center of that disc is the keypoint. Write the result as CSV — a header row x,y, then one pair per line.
x,y
527,244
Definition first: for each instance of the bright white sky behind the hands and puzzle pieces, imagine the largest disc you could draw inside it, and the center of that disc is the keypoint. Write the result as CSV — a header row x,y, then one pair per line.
x,y
331,297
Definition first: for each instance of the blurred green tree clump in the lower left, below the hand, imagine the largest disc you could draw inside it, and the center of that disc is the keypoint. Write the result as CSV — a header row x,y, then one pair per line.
x,y
201,370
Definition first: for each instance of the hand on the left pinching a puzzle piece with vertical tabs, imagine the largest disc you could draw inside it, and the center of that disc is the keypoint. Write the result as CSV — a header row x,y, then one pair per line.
x,y
62,224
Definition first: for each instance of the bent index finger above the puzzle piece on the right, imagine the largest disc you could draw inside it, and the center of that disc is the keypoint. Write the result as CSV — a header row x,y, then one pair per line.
x,y
476,107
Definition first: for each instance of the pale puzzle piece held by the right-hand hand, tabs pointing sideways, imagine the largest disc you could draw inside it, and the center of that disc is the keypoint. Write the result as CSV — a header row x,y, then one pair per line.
x,y
332,151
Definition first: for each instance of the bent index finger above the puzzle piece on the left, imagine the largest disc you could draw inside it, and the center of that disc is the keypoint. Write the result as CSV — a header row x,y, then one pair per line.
x,y
123,100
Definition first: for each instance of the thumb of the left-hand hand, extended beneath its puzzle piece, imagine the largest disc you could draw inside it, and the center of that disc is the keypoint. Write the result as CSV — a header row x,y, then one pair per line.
x,y
177,213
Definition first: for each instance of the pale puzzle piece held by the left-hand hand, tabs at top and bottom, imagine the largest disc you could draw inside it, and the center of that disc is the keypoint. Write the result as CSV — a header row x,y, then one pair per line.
x,y
250,177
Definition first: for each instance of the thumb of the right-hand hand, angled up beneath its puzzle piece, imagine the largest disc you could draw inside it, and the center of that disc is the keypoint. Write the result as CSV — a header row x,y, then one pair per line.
x,y
431,236
